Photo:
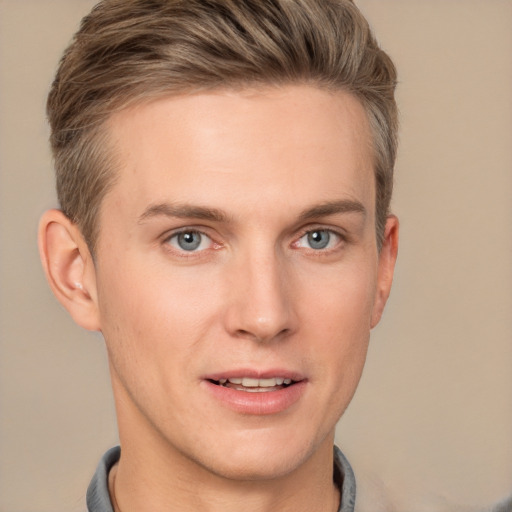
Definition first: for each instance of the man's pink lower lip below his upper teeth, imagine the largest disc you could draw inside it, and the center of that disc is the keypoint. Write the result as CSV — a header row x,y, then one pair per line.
x,y
259,403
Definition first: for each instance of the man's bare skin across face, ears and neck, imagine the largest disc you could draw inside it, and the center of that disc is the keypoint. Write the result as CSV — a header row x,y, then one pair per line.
x,y
255,295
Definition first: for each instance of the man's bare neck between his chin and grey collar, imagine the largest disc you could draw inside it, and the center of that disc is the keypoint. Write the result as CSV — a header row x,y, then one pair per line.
x,y
151,482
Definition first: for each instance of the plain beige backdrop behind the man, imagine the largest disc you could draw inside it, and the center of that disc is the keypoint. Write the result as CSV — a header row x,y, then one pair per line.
x,y
430,428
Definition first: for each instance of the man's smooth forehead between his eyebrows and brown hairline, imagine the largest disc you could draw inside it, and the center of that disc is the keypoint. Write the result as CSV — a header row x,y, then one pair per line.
x,y
274,145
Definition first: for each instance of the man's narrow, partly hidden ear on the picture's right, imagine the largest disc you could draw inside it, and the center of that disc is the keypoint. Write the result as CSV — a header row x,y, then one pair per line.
x,y
387,259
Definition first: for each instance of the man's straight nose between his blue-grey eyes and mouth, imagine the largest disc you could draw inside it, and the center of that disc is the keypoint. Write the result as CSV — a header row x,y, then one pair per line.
x,y
260,305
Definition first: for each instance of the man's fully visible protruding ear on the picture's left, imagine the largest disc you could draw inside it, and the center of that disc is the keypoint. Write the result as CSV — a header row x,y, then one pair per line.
x,y
69,268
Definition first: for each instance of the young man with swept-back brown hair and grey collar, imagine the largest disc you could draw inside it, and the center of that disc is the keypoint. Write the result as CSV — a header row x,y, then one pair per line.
x,y
224,171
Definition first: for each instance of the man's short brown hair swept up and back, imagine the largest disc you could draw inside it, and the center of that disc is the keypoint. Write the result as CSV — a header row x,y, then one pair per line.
x,y
130,51
